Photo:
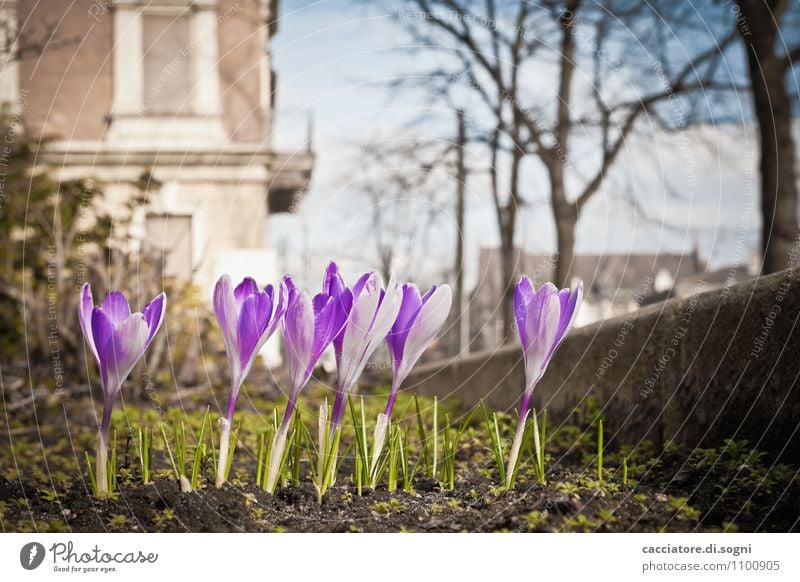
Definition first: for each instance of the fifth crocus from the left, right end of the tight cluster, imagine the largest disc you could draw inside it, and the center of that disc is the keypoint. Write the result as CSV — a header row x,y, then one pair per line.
x,y
418,322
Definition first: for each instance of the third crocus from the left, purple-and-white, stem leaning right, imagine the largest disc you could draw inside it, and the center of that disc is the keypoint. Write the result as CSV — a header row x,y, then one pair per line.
x,y
308,329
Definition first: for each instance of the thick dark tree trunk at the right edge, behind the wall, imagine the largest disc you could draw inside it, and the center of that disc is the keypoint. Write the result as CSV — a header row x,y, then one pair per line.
x,y
779,229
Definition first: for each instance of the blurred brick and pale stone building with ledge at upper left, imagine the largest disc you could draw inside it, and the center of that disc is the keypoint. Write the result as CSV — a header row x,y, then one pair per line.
x,y
180,90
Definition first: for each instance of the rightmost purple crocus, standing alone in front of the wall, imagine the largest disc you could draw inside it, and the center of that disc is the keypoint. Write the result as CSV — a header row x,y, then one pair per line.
x,y
543,319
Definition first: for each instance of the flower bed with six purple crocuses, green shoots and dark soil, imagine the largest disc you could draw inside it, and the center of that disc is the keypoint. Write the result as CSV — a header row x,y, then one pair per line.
x,y
419,464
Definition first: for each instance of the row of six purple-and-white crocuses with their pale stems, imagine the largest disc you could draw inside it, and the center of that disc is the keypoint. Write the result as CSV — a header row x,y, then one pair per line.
x,y
355,320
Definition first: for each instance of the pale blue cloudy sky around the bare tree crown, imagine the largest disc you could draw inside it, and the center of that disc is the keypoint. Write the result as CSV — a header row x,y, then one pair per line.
x,y
332,60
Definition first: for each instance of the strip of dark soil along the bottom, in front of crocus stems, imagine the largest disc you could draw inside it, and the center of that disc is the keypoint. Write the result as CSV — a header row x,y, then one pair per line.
x,y
474,506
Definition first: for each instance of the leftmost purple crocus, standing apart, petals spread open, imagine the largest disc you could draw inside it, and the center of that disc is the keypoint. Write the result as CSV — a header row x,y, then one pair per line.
x,y
118,340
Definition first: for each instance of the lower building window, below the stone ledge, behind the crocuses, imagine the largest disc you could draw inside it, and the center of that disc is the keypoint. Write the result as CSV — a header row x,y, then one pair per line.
x,y
168,240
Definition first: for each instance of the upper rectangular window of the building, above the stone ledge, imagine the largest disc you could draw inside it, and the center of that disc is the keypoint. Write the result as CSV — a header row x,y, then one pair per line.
x,y
167,60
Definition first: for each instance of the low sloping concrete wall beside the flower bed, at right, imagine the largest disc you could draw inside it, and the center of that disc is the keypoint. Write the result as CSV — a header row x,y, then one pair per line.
x,y
718,364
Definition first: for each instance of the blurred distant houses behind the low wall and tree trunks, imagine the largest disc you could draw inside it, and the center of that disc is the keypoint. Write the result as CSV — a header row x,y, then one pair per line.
x,y
614,284
